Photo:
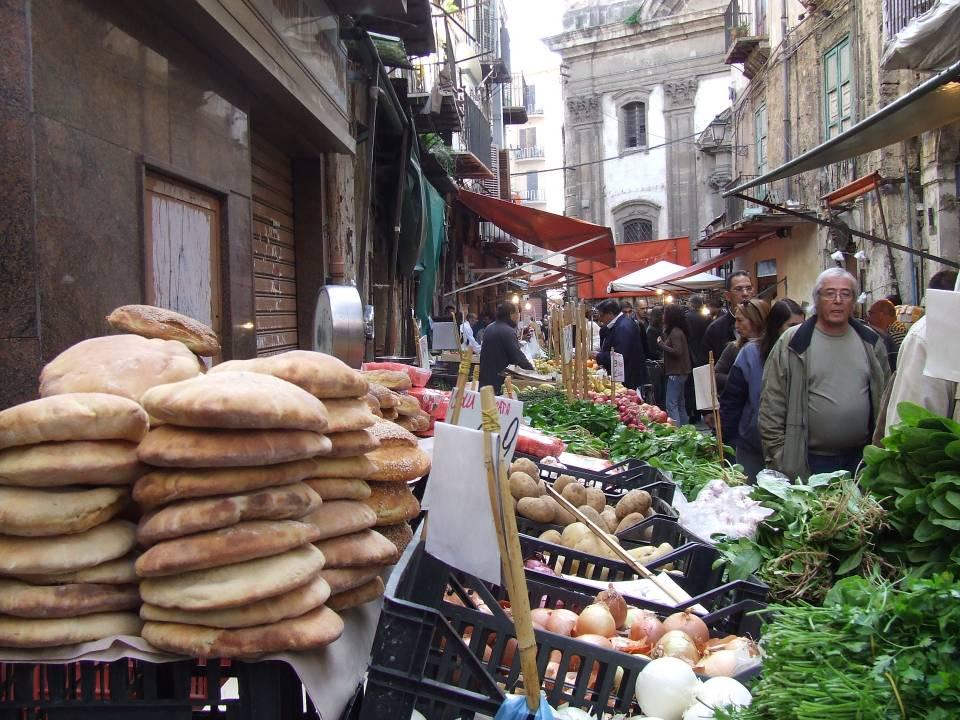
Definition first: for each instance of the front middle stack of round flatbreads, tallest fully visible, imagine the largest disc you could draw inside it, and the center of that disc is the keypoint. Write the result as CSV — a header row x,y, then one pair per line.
x,y
229,568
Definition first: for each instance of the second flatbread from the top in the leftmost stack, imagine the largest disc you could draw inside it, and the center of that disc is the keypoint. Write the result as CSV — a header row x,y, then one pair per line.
x,y
78,462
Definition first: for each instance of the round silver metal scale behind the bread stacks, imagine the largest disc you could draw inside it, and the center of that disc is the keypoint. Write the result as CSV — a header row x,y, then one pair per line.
x,y
339,324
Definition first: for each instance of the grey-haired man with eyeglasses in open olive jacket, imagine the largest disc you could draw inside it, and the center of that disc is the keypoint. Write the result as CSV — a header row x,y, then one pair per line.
x,y
822,385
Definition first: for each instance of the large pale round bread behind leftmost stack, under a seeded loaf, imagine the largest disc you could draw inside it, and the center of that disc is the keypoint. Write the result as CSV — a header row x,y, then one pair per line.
x,y
126,365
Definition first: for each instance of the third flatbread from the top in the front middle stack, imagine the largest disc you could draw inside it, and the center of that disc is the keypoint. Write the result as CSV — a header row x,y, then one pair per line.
x,y
165,486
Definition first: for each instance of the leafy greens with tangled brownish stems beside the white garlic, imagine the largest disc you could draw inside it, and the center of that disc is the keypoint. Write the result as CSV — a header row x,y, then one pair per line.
x,y
819,530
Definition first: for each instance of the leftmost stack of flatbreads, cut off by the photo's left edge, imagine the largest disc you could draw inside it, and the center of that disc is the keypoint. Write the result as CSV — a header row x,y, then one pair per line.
x,y
66,557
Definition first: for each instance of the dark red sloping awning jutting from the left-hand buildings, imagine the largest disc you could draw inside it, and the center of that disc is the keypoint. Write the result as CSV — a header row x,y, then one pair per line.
x,y
545,230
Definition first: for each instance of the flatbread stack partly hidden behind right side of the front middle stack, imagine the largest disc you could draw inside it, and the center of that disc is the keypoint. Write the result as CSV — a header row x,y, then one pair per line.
x,y
355,554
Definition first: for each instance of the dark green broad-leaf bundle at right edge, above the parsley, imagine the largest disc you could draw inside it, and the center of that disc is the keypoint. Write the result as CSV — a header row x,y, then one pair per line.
x,y
917,475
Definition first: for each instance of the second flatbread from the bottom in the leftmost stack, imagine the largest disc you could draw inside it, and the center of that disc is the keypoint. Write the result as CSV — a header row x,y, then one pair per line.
x,y
22,600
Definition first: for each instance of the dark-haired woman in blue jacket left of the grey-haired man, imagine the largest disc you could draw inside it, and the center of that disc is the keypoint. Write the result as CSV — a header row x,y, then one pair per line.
x,y
740,400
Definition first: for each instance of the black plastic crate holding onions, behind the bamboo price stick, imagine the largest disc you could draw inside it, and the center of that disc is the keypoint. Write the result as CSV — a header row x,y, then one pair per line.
x,y
451,660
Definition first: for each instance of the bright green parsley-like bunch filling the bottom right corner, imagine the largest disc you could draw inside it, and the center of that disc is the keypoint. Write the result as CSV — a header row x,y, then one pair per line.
x,y
874,651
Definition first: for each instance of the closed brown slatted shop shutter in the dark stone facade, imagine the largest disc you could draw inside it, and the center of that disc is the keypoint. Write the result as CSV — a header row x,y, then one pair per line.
x,y
274,257
